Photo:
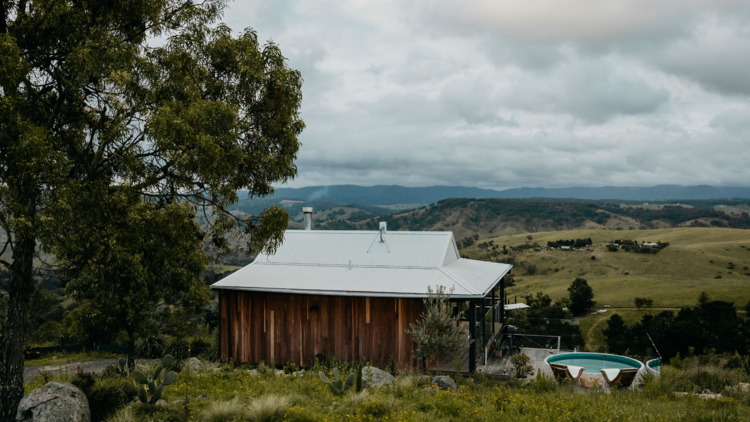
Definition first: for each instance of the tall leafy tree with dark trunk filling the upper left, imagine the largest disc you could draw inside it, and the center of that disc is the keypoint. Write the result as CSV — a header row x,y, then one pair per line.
x,y
92,114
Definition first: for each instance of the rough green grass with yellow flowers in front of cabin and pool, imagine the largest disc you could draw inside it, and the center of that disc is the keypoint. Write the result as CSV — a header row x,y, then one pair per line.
x,y
239,395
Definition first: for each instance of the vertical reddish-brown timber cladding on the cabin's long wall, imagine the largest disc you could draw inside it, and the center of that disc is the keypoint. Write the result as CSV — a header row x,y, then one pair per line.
x,y
296,328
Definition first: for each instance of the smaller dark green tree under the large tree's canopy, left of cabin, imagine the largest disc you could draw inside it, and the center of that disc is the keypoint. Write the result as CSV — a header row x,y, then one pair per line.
x,y
153,258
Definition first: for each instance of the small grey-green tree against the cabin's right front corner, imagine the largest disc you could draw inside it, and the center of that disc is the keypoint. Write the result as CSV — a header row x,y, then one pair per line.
x,y
438,333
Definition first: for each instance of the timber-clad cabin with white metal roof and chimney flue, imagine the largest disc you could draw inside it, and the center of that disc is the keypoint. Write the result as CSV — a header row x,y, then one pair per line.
x,y
347,294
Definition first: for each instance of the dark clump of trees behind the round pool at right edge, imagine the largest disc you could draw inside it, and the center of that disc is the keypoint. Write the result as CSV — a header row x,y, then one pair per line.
x,y
710,327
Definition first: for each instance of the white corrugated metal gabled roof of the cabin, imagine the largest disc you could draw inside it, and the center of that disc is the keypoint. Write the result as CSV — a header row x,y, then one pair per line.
x,y
357,263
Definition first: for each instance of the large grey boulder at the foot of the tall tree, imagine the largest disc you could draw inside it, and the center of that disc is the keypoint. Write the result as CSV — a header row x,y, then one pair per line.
x,y
55,402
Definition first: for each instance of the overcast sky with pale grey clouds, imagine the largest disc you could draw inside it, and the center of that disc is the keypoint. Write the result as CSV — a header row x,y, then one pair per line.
x,y
516,93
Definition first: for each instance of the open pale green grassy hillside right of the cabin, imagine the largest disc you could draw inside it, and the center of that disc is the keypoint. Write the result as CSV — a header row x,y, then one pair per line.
x,y
715,260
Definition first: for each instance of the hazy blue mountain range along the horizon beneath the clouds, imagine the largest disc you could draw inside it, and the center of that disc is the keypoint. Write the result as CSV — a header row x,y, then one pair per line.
x,y
385,195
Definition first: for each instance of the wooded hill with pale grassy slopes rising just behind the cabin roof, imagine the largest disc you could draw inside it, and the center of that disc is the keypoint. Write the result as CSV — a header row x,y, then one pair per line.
x,y
497,217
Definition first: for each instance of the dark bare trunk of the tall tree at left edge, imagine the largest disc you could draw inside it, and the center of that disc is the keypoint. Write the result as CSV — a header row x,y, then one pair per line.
x,y
20,289
